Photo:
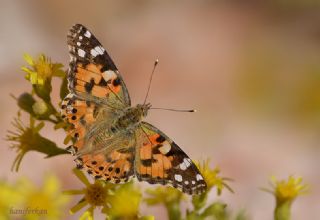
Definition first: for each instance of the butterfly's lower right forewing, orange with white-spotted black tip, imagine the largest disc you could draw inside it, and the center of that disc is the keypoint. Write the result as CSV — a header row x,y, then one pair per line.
x,y
160,160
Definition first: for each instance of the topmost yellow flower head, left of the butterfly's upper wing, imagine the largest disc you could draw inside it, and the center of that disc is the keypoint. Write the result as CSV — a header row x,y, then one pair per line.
x,y
41,69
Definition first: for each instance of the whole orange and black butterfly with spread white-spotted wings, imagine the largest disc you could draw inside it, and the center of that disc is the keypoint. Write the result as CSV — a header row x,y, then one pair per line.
x,y
110,139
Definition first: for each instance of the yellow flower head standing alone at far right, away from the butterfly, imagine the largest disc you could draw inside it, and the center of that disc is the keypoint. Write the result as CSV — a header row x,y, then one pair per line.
x,y
287,190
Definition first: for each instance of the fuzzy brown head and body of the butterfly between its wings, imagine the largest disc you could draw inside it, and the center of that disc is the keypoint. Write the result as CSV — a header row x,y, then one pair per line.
x,y
131,117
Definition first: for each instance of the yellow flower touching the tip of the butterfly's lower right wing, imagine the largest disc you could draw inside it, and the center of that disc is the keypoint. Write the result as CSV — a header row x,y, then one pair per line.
x,y
212,178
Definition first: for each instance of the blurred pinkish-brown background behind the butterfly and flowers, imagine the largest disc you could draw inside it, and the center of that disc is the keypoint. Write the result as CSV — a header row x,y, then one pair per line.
x,y
250,68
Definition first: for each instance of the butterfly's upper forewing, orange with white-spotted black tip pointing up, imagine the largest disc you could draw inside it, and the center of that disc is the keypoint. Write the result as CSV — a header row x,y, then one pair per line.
x,y
92,74
